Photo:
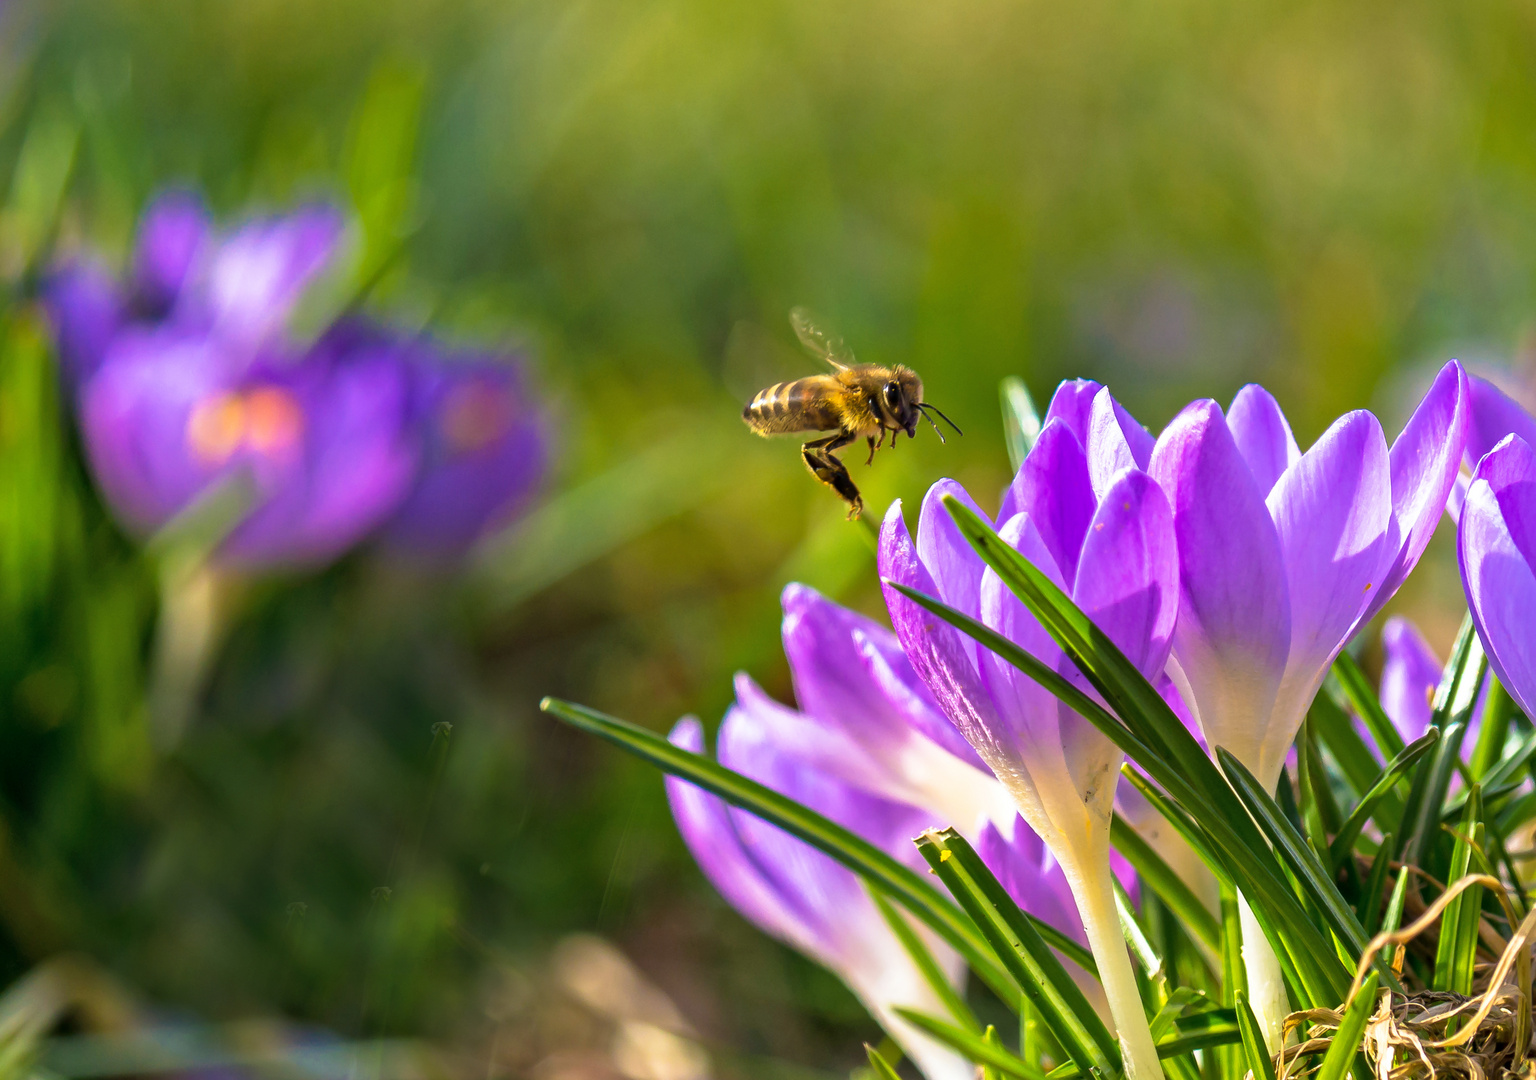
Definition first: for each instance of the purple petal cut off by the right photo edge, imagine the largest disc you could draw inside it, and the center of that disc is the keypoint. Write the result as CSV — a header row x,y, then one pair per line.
x,y
1497,546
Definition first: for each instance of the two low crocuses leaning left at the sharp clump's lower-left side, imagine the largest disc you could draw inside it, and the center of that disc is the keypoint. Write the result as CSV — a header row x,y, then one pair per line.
x,y
870,750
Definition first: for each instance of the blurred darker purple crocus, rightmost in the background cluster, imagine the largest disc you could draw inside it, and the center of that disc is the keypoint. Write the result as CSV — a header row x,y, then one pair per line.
x,y
485,451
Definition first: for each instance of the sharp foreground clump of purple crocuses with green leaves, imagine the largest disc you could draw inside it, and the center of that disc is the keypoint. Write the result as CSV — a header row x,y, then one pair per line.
x,y
1230,569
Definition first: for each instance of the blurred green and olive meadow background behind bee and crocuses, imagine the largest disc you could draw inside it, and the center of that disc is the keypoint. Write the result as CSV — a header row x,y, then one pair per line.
x,y
369,855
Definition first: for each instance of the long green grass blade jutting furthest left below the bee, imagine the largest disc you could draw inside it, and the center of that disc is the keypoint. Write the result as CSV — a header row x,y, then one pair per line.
x,y
898,881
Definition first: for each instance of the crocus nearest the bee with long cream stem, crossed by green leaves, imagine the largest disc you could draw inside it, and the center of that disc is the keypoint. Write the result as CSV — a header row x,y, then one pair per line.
x,y
1087,514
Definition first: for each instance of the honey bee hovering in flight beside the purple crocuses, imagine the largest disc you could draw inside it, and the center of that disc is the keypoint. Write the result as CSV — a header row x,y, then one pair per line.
x,y
855,402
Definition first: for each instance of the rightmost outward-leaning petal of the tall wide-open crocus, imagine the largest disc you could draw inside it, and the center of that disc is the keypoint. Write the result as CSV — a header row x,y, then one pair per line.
x,y
1425,468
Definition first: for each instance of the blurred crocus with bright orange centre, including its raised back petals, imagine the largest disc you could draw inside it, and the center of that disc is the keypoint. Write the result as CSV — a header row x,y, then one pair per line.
x,y
188,385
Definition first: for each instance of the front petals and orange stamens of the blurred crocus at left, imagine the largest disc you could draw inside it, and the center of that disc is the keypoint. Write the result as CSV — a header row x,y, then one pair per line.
x,y
320,451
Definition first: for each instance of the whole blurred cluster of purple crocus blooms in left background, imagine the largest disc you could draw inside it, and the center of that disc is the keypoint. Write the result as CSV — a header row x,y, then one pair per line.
x,y
191,382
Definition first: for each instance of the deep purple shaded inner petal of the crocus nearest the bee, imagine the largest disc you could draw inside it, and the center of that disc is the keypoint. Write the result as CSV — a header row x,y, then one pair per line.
x,y
1054,488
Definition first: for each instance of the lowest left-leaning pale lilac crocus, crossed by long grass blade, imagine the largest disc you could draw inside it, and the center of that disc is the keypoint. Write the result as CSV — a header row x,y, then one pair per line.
x,y
803,896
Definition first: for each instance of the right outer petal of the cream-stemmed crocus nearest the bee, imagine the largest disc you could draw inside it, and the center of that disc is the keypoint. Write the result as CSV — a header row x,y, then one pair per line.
x,y
1128,577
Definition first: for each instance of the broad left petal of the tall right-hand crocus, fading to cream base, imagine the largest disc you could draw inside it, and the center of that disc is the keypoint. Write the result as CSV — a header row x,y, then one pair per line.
x,y
1234,626
